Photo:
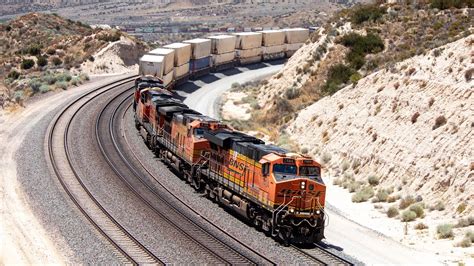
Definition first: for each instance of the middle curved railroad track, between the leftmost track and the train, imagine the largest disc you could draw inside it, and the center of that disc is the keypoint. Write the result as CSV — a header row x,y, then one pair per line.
x,y
224,252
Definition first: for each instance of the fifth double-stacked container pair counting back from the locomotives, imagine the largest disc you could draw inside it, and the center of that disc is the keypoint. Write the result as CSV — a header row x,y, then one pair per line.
x,y
248,47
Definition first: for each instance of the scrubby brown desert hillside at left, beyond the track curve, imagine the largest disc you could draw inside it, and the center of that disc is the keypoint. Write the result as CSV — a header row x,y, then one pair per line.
x,y
43,52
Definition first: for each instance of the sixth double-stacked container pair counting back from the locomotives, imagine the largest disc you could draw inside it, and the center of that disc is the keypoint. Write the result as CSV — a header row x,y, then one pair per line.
x,y
273,43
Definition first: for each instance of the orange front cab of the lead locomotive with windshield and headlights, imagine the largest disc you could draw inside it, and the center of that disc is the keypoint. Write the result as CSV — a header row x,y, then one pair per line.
x,y
298,195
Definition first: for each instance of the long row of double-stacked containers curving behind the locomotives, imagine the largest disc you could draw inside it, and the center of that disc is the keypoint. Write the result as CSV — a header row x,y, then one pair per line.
x,y
176,63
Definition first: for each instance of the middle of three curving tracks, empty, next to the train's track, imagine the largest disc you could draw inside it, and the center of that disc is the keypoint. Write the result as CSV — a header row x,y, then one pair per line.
x,y
220,251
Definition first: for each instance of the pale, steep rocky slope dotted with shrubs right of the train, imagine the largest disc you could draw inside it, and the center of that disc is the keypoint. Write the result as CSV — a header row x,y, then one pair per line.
x,y
412,126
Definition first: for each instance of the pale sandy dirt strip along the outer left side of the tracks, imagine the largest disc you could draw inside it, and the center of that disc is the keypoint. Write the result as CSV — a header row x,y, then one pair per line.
x,y
23,239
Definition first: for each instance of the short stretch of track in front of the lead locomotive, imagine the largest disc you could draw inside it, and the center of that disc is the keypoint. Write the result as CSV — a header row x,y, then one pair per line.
x,y
320,256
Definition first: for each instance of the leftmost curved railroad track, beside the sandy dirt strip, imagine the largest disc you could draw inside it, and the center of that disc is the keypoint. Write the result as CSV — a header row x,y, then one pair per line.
x,y
128,248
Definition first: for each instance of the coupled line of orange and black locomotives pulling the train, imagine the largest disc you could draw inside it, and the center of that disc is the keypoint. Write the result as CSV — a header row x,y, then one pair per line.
x,y
281,193
